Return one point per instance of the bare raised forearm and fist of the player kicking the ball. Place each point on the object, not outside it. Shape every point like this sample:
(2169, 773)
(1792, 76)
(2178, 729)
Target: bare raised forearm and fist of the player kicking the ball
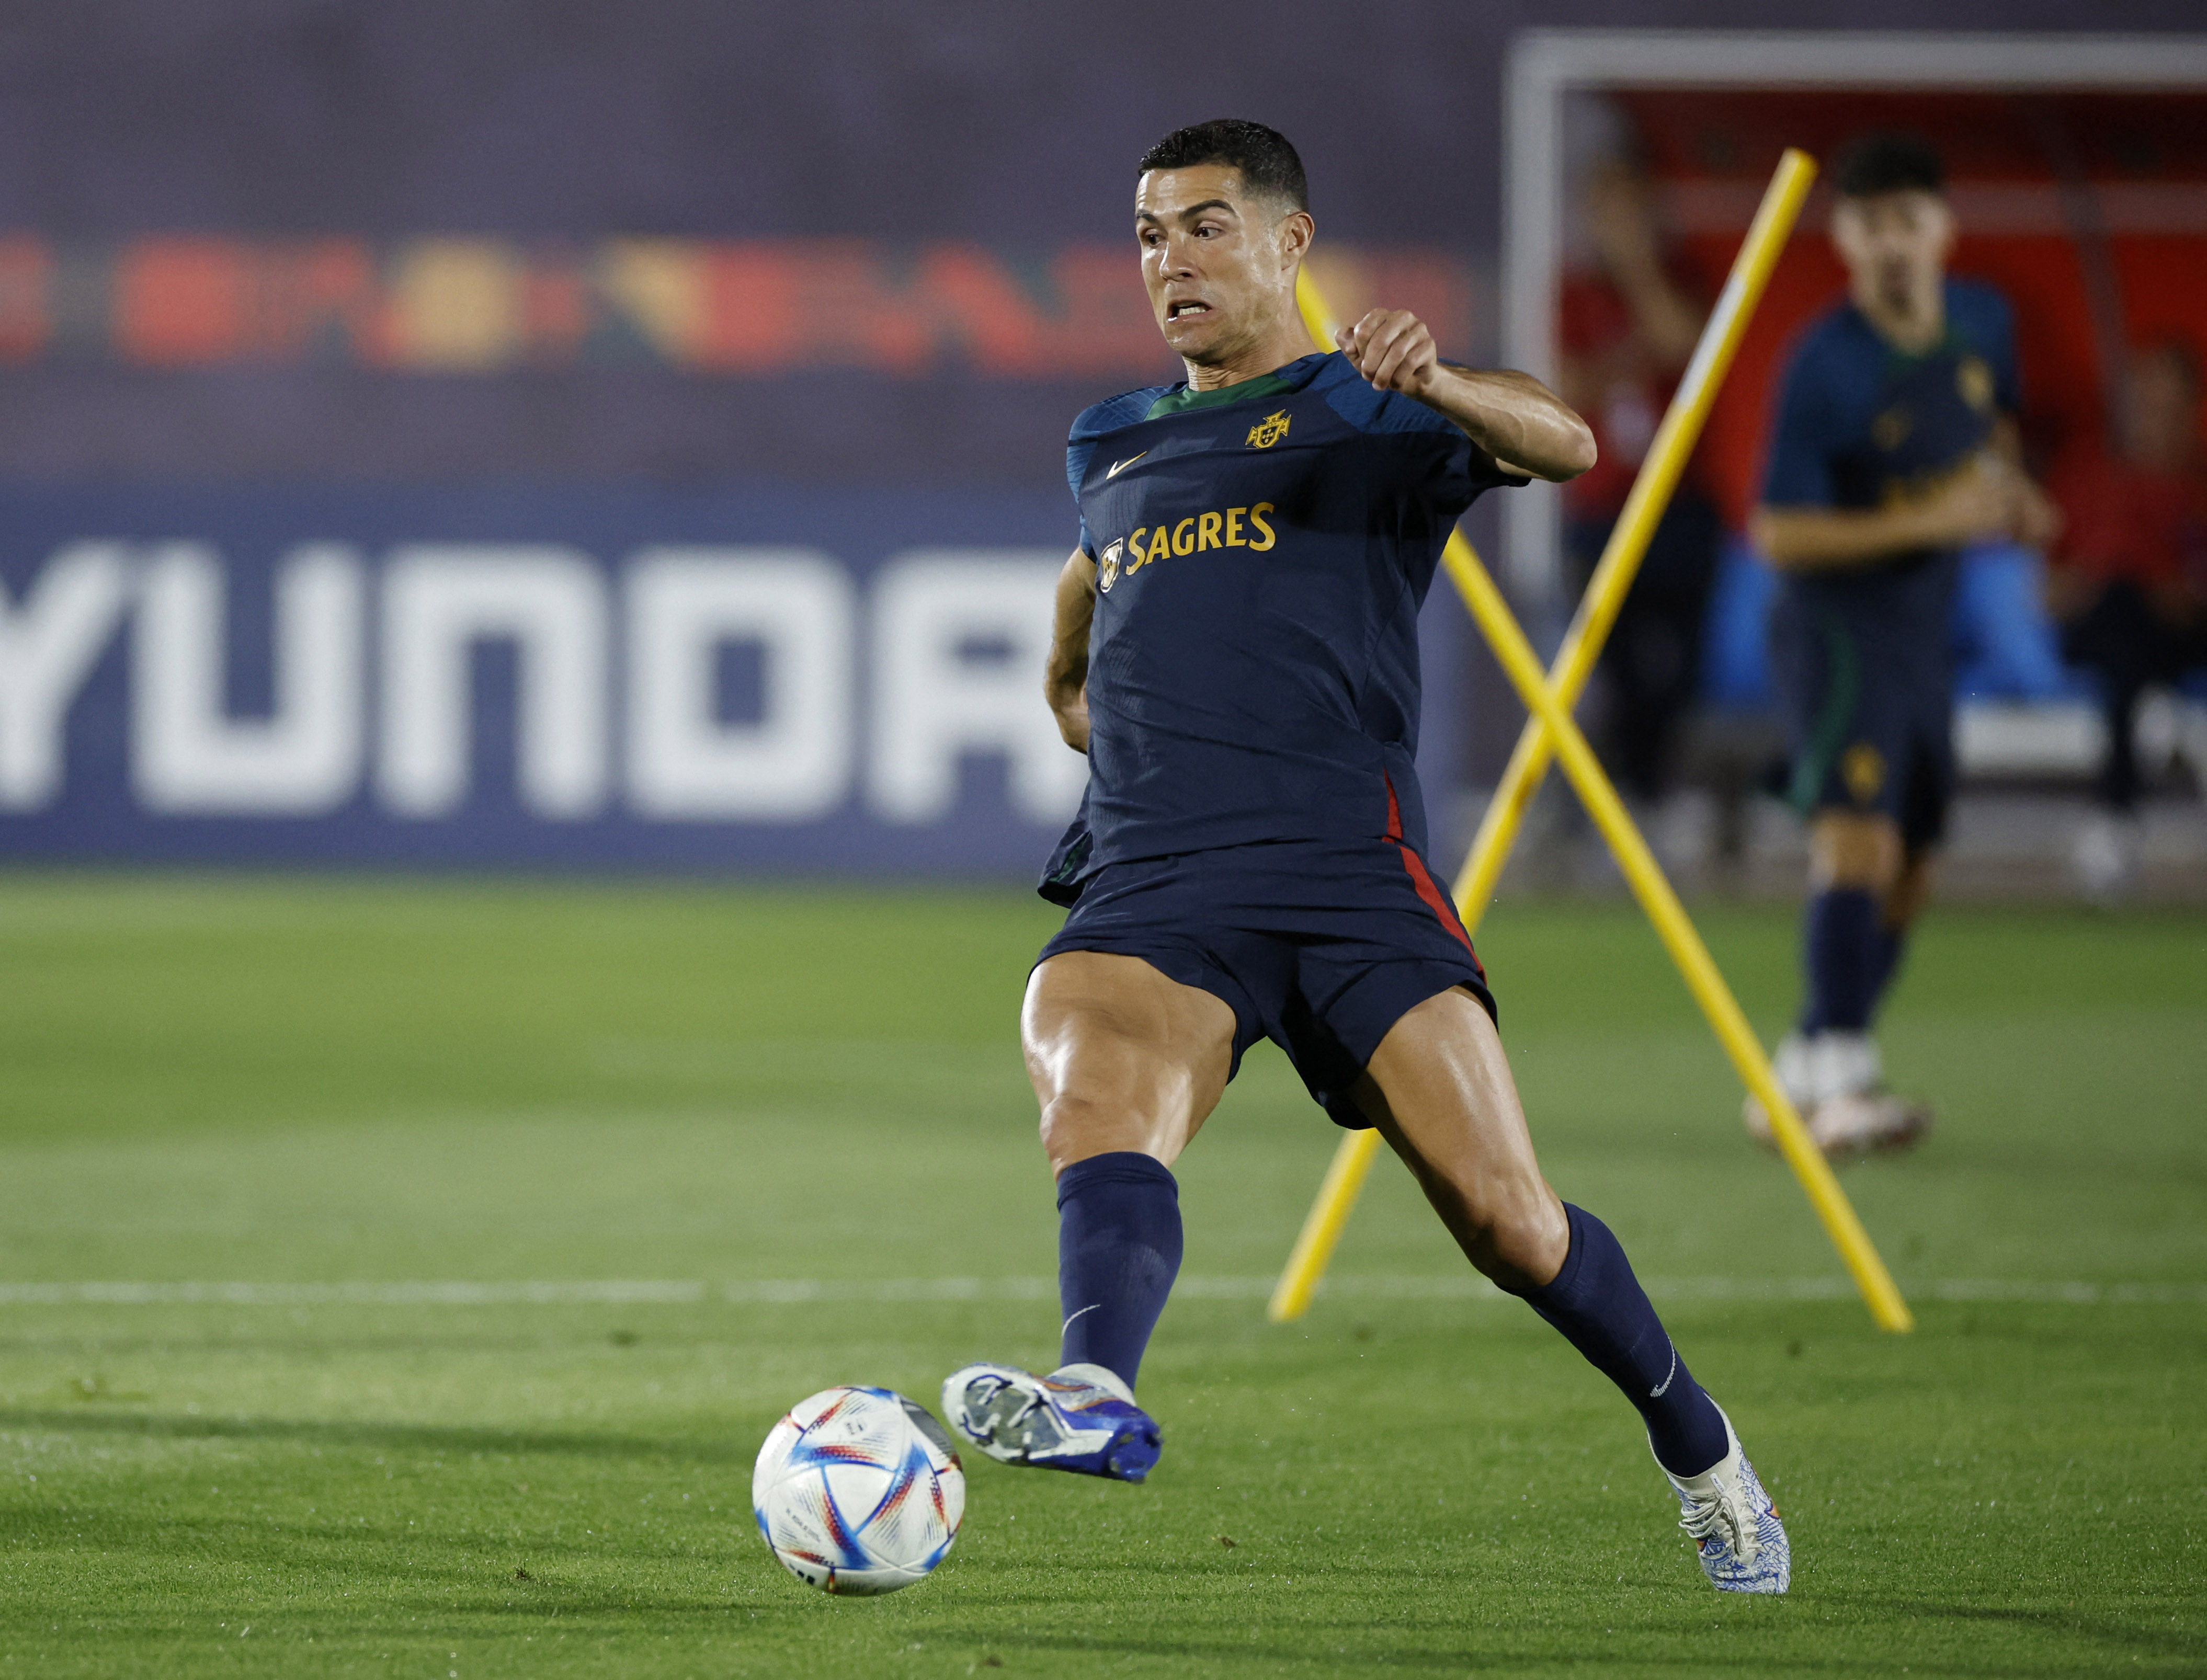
(1511, 416)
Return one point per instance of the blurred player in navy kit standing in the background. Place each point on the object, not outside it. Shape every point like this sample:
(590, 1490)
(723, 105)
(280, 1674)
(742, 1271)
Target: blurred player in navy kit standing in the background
(1895, 449)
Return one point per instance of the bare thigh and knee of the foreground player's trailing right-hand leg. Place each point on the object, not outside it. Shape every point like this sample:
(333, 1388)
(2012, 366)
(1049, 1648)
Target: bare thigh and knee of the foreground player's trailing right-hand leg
(1442, 1094)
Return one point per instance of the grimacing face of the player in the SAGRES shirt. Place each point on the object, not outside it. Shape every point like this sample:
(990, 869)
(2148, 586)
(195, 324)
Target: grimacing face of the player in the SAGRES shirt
(1217, 262)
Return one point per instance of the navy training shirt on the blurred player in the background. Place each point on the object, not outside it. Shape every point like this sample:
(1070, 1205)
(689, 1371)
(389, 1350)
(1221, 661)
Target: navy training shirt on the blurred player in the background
(1862, 423)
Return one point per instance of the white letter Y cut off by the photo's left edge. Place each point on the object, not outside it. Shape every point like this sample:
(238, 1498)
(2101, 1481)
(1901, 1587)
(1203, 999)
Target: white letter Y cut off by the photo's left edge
(47, 650)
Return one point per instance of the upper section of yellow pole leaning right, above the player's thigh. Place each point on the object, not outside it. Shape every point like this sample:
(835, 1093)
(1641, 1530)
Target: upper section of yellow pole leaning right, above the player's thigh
(1636, 524)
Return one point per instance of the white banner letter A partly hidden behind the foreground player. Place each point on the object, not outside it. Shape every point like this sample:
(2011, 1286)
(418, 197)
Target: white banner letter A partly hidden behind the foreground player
(937, 701)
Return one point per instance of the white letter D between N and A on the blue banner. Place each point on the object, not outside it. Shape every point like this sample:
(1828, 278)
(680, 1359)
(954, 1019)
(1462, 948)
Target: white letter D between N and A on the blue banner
(687, 604)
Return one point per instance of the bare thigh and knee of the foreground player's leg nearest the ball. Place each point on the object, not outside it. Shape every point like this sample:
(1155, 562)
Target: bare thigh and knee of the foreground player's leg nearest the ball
(1122, 1056)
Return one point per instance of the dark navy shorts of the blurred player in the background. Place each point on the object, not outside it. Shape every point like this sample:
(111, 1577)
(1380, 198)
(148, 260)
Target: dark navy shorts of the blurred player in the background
(1868, 690)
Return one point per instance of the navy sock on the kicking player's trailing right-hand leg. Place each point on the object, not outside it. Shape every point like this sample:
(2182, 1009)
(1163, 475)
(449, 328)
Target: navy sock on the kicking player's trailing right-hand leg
(1606, 1315)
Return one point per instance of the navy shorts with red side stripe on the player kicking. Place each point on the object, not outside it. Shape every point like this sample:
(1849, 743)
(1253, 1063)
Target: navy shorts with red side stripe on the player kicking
(1319, 946)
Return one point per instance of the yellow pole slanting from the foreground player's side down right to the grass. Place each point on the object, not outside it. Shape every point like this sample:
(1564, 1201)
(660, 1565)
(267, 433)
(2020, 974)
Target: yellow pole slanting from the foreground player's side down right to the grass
(1678, 937)
